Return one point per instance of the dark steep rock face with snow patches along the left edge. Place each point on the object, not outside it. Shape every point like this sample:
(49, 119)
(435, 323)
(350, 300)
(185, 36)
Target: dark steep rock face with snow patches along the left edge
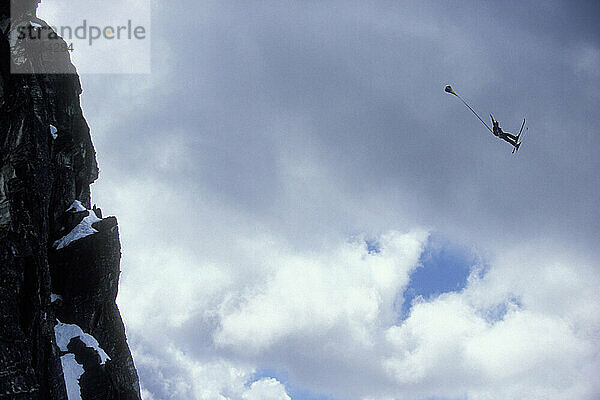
(40, 178)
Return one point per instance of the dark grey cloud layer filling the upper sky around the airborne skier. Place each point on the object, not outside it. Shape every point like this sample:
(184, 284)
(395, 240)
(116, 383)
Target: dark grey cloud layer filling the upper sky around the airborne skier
(285, 111)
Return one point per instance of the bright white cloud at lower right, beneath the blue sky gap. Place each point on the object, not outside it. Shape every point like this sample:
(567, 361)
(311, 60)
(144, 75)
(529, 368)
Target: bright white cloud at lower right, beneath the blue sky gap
(543, 347)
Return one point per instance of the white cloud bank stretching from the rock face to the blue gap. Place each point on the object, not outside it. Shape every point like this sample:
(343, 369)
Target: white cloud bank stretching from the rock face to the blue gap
(275, 314)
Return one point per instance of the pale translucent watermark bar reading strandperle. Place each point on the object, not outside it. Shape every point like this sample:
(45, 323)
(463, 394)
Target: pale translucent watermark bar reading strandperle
(106, 37)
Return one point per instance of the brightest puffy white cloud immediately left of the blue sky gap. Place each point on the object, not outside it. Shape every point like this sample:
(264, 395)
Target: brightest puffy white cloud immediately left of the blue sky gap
(348, 289)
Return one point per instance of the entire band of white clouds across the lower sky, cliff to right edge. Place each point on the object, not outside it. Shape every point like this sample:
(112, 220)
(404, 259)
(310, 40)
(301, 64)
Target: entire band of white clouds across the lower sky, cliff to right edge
(202, 327)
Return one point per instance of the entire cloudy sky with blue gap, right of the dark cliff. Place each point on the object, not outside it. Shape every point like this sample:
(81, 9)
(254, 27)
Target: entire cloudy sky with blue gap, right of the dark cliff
(305, 214)
